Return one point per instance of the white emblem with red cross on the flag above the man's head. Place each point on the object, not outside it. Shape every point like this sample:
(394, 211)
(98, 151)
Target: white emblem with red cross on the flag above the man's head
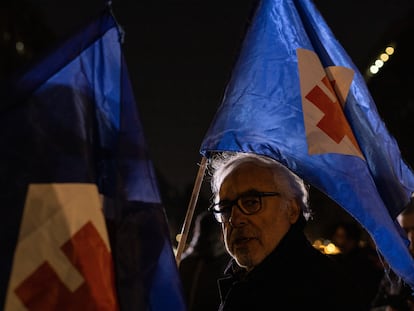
(327, 130)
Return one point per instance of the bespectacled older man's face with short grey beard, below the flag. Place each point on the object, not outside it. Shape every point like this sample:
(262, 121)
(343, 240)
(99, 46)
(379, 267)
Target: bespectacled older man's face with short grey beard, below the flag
(250, 238)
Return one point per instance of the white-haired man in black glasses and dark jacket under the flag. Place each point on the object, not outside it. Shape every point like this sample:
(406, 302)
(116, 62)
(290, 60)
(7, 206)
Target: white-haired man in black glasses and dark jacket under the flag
(263, 208)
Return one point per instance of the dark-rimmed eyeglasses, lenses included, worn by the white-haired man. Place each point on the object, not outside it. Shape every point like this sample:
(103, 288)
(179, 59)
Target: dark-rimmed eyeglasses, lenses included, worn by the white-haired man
(248, 203)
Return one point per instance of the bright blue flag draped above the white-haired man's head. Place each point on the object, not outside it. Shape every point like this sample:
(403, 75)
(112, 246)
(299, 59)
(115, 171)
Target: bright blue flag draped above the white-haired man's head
(296, 96)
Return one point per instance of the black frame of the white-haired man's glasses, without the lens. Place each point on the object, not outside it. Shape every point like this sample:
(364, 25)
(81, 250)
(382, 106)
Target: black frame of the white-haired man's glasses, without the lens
(220, 215)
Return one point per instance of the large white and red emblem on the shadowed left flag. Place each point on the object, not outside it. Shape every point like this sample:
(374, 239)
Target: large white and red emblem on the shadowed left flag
(63, 259)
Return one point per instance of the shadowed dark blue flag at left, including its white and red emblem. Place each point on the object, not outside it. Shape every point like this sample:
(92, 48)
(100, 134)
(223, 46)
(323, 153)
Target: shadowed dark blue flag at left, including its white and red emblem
(83, 227)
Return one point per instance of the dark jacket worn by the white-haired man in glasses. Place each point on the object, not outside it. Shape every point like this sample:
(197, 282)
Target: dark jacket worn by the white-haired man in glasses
(295, 276)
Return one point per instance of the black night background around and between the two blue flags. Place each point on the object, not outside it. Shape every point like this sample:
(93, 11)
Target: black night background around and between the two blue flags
(180, 54)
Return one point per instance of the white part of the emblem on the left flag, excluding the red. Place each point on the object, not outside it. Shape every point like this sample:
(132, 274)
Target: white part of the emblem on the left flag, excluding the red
(53, 214)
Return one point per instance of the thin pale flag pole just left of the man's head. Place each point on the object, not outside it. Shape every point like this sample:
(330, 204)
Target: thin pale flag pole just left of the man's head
(190, 211)
